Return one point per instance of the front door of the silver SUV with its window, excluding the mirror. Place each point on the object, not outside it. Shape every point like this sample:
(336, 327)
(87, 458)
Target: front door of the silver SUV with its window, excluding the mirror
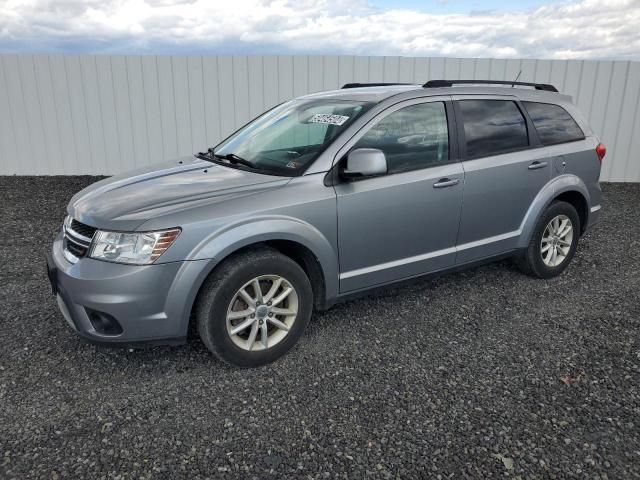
(404, 223)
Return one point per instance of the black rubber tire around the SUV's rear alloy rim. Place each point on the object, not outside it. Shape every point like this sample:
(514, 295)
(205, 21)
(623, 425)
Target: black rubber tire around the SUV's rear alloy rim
(536, 263)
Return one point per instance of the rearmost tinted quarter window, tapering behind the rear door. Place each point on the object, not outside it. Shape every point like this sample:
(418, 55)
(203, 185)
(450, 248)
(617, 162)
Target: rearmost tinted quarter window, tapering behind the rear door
(553, 123)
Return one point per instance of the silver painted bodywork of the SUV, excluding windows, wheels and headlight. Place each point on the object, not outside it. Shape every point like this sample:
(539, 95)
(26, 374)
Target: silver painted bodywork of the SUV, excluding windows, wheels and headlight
(363, 234)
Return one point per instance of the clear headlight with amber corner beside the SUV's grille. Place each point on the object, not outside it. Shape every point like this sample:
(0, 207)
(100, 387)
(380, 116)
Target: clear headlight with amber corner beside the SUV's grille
(135, 248)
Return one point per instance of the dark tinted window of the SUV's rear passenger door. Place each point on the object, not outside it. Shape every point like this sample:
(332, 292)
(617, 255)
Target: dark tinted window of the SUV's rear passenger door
(492, 127)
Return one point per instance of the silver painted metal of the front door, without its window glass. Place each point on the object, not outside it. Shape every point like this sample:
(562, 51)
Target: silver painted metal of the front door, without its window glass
(386, 225)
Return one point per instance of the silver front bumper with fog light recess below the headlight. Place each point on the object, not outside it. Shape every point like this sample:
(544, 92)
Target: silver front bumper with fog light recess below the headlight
(149, 303)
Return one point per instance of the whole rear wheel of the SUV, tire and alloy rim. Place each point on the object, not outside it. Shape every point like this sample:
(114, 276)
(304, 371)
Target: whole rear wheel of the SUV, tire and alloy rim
(553, 243)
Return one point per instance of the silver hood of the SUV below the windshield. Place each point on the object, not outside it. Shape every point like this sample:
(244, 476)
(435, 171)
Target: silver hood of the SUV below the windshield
(126, 201)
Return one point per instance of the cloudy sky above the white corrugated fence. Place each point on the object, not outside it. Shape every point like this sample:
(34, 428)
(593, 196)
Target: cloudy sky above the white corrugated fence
(461, 28)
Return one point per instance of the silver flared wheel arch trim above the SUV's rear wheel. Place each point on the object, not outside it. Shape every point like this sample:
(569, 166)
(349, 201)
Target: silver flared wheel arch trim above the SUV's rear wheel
(555, 187)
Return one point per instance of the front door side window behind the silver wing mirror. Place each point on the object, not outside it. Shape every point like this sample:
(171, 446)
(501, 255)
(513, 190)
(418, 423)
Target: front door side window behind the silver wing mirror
(412, 138)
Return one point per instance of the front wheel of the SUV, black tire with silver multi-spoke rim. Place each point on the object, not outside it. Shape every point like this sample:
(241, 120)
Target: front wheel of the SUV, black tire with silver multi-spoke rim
(220, 297)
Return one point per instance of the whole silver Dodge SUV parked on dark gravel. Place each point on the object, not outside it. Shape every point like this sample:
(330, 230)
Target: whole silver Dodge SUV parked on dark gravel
(322, 197)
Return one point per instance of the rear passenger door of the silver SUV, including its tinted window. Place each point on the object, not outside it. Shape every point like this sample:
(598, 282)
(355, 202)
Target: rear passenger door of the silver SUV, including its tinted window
(503, 173)
